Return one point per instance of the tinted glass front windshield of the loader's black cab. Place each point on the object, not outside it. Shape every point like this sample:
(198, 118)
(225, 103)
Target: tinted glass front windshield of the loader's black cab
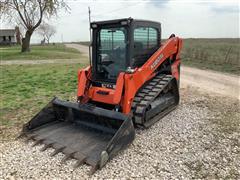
(111, 52)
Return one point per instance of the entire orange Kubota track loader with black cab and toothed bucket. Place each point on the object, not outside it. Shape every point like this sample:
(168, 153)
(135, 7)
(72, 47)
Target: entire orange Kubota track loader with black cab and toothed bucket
(132, 81)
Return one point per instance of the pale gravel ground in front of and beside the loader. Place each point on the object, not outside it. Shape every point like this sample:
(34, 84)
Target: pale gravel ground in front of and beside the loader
(187, 143)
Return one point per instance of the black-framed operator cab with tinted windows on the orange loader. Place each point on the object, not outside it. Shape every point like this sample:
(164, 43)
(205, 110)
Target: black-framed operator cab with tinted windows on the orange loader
(120, 44)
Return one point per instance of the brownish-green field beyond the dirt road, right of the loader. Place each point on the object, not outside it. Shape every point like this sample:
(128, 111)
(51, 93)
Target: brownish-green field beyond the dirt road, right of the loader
(215, 54)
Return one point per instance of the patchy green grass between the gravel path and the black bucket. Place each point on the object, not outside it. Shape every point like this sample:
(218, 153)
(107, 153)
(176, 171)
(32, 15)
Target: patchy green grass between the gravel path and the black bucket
(25, 89)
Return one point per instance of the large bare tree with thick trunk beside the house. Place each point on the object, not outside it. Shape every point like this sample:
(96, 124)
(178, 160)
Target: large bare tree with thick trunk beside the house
(30, 14)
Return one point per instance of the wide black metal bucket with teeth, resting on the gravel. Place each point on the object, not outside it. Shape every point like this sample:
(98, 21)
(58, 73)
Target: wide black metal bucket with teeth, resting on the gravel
(89, 134)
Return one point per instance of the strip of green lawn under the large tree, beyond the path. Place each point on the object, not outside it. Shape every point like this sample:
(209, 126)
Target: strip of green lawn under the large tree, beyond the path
(57, 51)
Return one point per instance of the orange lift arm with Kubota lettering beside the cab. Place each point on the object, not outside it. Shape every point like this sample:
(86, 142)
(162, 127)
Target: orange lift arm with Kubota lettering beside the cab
(136, 80)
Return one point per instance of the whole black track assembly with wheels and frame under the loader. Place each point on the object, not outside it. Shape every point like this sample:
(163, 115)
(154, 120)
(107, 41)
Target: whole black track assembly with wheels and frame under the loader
(158, 97)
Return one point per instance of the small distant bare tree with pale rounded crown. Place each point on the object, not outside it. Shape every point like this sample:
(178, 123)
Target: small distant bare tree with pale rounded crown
(46, 31)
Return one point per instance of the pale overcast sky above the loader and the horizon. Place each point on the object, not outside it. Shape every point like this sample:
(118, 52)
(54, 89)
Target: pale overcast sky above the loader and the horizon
(185, 18)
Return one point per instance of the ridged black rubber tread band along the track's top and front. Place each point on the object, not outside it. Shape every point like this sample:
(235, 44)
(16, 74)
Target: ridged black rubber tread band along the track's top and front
(147, 95)
